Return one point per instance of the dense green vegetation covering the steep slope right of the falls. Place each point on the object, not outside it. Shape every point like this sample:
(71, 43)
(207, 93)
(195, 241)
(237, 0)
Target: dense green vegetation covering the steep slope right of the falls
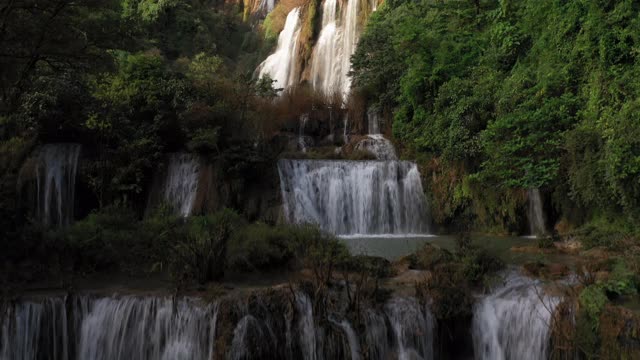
(500, 96)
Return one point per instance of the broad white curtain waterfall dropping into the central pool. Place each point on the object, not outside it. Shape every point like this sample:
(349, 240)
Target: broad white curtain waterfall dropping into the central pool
(354, 197)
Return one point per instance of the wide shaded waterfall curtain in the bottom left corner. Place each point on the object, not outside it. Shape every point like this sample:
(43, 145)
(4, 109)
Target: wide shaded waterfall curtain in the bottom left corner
(108, 328)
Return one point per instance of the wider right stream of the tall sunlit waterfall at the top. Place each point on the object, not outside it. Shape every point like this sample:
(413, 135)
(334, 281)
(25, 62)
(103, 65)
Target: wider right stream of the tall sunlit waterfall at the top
(331, 61)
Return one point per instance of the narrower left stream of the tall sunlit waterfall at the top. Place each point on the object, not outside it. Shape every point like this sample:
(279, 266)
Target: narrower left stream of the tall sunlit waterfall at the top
(281, 65)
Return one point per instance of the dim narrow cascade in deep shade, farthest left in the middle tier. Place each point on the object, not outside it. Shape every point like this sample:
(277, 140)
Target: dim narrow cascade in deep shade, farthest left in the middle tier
(56, 167)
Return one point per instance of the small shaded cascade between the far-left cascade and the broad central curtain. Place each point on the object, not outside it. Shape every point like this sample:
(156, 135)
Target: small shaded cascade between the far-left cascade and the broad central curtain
(181, 183)
